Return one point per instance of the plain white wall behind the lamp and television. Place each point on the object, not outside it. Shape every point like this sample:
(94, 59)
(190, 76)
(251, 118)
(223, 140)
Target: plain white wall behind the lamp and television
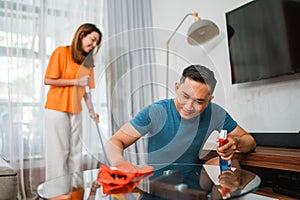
(263, 106)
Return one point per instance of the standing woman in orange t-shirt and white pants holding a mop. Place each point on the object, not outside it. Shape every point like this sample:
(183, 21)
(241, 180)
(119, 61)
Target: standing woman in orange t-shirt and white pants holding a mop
(69, 71)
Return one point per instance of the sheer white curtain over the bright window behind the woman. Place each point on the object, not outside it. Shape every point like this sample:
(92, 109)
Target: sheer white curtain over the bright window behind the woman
(29, 32)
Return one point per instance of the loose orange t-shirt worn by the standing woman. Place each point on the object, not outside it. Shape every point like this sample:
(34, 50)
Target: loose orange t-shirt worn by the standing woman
(61, 66)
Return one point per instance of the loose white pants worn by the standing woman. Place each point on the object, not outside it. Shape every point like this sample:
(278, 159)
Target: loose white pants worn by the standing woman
(63, 143)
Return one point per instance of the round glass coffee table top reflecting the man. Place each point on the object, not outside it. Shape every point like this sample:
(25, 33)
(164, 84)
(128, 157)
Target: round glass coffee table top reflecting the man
(175, 181)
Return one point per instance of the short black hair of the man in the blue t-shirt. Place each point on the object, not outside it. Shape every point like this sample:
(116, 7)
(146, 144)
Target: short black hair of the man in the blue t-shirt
(200, 74)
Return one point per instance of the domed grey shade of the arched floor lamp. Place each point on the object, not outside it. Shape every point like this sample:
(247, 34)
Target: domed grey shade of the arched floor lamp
(202, 31)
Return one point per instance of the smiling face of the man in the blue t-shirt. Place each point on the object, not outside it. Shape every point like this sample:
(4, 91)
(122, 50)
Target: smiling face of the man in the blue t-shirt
(192, 98)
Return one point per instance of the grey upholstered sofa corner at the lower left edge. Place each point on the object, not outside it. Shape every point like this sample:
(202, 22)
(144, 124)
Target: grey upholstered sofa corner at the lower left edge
(8, 181)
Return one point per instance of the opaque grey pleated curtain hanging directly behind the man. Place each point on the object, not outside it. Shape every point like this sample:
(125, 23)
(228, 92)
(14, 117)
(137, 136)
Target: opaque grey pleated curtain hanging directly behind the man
(130, 65)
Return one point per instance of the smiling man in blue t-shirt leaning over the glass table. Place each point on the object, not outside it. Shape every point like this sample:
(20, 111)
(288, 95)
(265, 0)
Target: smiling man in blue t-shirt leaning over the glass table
(177, 128)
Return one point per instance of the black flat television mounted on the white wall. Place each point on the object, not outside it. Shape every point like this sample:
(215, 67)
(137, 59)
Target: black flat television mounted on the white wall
(264, 39)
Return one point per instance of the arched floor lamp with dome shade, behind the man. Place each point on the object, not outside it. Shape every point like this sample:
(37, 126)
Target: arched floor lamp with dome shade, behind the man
(199, 32)
